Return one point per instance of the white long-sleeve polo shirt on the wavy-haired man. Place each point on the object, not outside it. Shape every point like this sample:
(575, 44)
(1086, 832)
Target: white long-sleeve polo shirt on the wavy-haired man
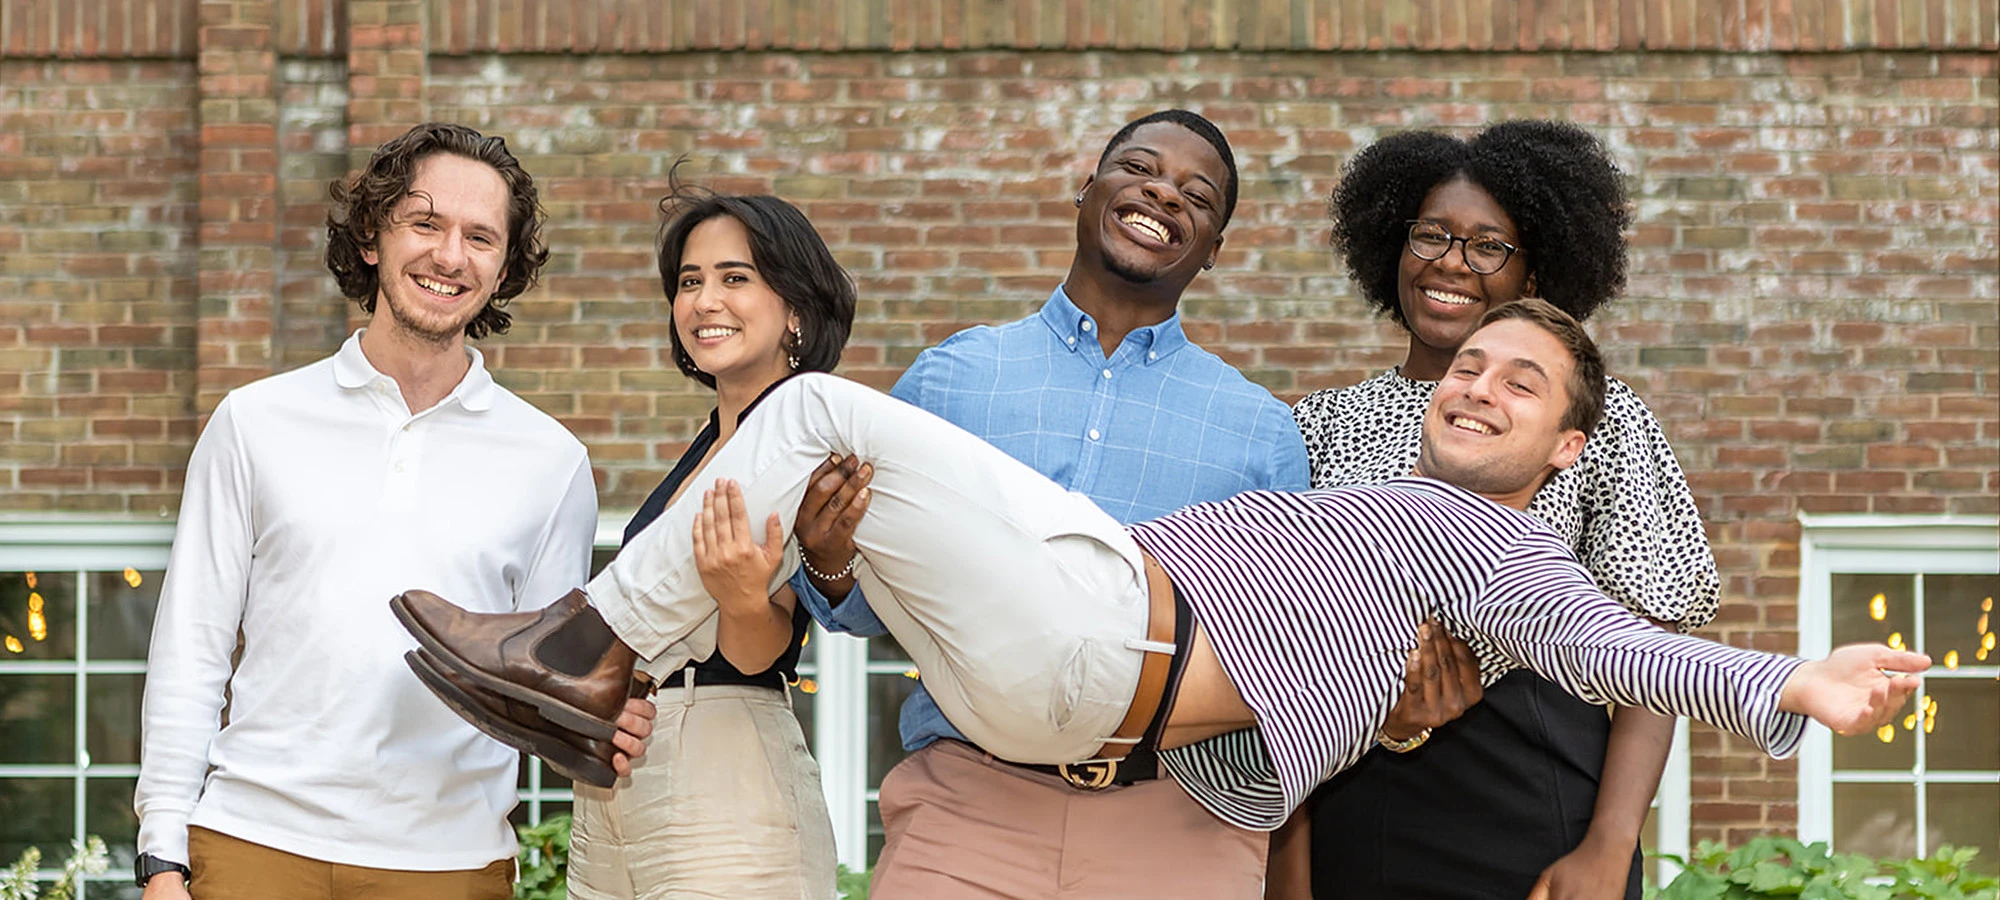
(313, 497)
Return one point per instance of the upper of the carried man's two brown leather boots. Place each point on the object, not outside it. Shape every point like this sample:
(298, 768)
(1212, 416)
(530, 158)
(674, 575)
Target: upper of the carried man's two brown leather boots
(563, 661)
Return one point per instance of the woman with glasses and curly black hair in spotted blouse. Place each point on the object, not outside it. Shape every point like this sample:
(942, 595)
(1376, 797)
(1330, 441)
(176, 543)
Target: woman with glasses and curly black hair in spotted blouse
(1529, 787)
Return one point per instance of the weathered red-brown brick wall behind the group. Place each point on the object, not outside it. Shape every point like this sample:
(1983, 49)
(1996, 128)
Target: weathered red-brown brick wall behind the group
(1815, 309)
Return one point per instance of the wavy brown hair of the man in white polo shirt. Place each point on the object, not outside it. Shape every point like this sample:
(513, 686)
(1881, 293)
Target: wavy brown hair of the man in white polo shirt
(363, 205)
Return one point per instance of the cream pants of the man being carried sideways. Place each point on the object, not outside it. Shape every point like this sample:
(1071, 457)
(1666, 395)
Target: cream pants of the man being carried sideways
(1023, 605)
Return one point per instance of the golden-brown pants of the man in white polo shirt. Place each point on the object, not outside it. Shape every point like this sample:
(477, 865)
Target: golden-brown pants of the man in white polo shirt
(235, 869)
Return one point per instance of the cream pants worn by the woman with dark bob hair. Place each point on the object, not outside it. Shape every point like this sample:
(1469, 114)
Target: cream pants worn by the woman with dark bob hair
(725, 805)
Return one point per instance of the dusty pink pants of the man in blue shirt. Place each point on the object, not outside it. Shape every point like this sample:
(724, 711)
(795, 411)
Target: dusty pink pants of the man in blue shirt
(963, 827)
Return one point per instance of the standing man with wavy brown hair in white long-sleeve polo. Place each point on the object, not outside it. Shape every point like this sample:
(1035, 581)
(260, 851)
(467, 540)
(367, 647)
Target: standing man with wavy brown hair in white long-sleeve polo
(393, 463)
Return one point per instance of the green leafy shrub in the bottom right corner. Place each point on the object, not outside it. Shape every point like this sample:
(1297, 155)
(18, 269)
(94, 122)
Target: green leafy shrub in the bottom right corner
(1789, 869)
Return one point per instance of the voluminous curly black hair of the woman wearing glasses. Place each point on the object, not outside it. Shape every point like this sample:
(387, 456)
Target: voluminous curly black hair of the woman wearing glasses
(1553, 179)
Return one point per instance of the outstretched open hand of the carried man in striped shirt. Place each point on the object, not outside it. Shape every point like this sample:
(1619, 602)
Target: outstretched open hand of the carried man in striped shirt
(1857, 689)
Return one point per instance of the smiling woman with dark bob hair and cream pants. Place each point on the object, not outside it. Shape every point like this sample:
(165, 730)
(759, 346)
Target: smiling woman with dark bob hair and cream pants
(727, 801)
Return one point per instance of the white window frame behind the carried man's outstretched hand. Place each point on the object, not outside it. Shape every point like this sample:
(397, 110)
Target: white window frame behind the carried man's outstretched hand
(1835, 545)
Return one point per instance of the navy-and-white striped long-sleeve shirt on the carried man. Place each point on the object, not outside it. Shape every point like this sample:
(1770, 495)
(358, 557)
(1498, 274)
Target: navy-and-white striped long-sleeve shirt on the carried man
(1313, 605)
